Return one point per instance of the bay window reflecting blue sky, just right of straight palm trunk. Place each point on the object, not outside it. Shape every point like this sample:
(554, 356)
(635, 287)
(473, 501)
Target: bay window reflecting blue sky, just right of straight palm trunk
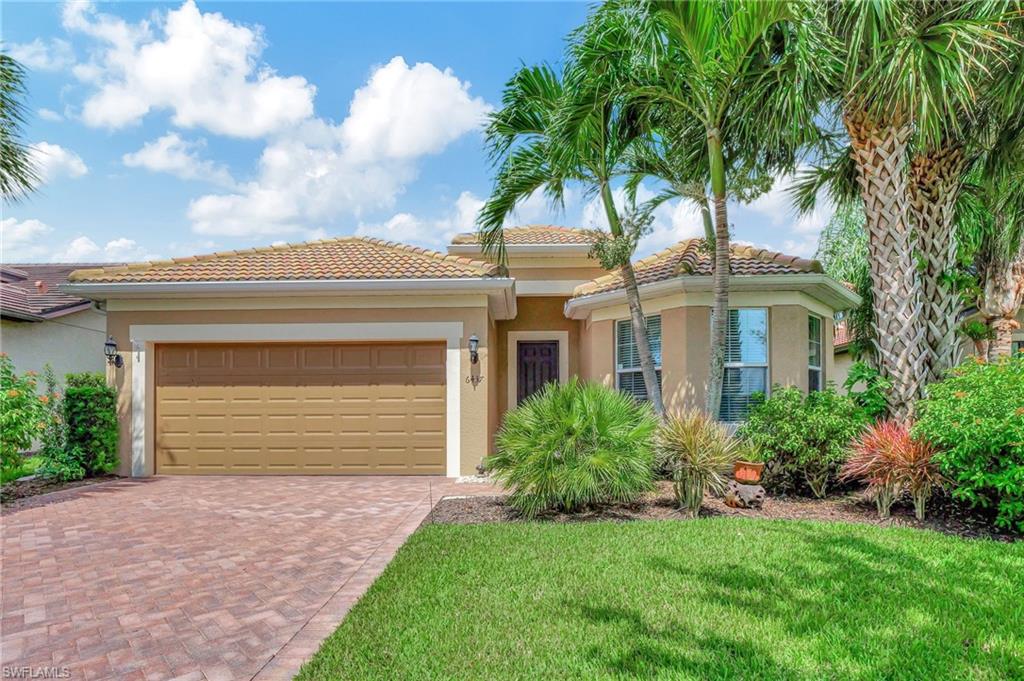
(746, 363)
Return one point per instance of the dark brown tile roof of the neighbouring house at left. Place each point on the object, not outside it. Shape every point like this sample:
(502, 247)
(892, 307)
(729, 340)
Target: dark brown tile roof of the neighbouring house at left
(32, 290)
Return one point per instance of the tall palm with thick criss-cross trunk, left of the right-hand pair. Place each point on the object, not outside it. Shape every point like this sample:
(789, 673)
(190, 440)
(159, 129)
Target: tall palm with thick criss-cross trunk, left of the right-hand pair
(906, 75)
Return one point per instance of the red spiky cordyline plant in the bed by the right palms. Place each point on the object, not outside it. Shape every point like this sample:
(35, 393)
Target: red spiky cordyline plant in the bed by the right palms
(891, 462)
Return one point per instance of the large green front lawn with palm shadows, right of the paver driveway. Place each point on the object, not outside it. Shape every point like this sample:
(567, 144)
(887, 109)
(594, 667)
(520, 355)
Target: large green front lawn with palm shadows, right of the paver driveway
(717, 599)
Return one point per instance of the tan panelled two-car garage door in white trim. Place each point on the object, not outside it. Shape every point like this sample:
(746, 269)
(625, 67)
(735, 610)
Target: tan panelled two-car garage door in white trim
(301, 409)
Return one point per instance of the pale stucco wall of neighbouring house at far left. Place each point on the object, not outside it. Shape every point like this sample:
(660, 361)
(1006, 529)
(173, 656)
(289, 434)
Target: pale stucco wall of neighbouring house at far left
(71, 344)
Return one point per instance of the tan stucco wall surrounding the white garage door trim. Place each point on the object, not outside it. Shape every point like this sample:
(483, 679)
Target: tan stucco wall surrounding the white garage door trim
(476, 420)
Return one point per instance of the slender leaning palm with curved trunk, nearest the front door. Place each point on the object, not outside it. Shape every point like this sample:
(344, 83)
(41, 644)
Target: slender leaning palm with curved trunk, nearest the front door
(552, 132)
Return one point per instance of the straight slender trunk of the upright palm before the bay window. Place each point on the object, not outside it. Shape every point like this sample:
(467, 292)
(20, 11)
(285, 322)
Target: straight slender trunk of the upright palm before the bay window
(720, 307)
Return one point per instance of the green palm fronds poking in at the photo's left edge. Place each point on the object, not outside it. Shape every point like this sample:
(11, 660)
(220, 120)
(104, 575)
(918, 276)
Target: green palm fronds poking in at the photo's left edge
(18, 173)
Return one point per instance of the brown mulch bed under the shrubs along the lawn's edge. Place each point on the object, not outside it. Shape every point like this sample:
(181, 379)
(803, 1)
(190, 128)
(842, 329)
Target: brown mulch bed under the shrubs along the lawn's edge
(945, 516)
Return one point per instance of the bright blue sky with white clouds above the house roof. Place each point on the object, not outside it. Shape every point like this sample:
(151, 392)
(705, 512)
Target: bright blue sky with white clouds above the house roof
(174, 130)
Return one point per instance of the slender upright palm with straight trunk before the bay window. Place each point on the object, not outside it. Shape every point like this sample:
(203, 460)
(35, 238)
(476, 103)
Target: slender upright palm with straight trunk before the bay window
(747, 75)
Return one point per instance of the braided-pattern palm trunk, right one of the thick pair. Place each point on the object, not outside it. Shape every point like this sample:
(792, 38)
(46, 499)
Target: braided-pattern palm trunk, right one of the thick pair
(936, 178)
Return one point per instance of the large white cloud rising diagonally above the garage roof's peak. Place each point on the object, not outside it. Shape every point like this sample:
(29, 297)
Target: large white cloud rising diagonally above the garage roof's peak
(318, 172)
